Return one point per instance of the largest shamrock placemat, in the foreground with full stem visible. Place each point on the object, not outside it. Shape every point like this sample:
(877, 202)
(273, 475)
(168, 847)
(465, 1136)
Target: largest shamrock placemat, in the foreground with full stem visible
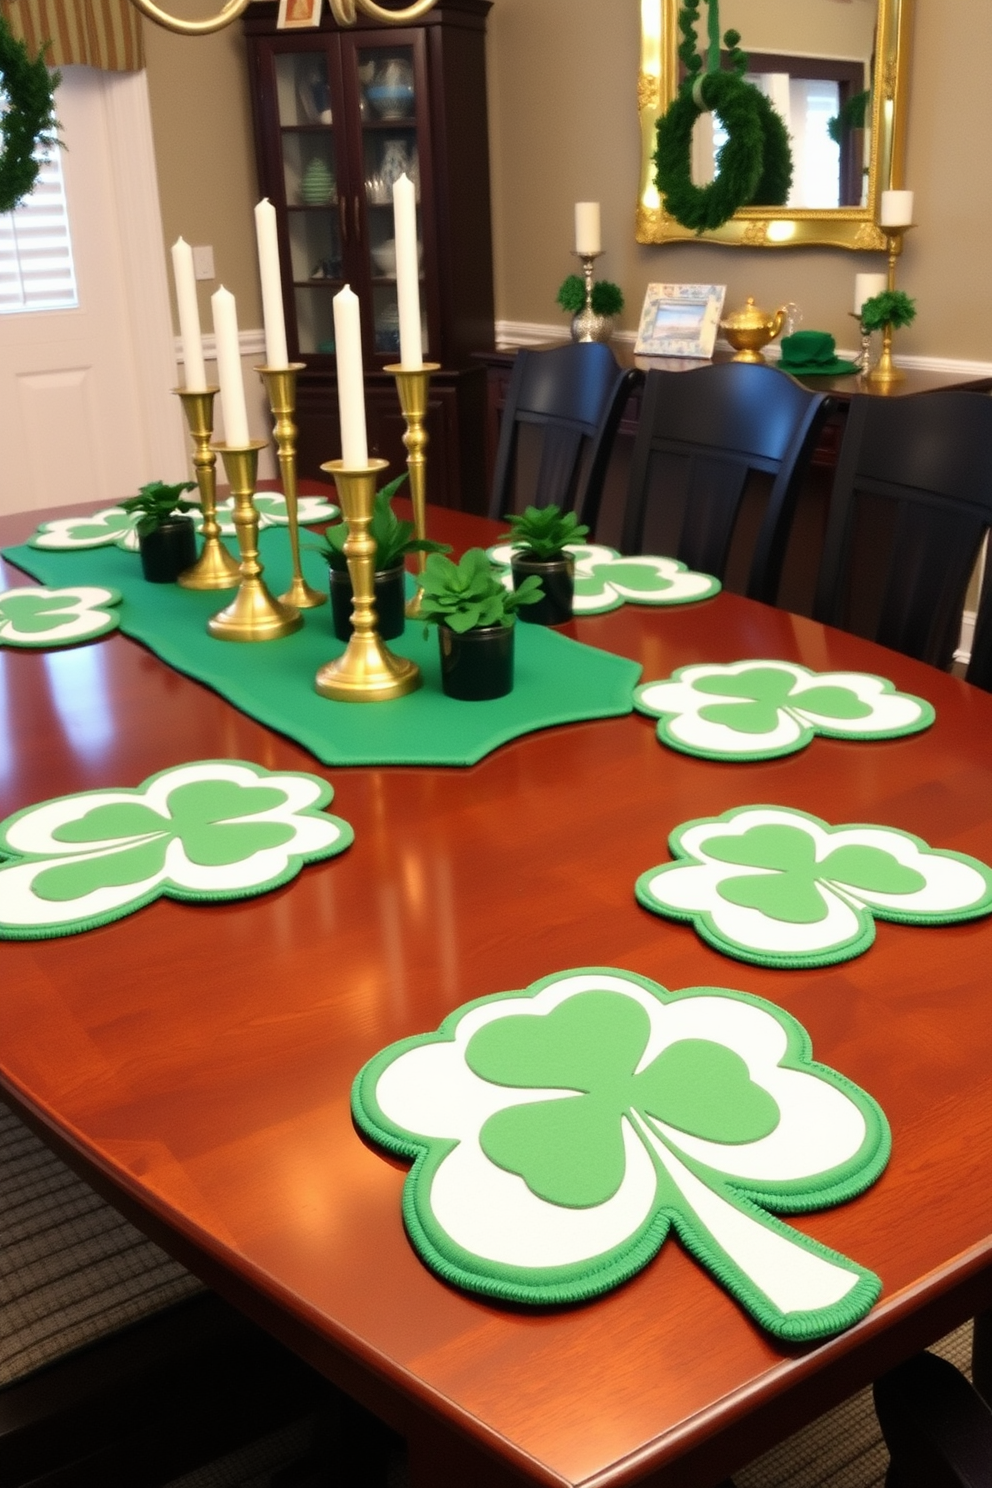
(560, 1133)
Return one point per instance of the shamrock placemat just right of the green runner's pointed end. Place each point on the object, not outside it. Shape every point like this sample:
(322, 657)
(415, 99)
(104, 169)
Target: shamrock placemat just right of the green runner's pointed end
(765, 709)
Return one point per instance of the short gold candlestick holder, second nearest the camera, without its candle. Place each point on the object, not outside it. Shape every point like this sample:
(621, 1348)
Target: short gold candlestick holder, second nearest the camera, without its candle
(254, 615)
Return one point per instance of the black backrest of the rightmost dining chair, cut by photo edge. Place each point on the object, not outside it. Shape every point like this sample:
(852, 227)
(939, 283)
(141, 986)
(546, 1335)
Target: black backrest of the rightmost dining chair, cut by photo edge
(911, 504)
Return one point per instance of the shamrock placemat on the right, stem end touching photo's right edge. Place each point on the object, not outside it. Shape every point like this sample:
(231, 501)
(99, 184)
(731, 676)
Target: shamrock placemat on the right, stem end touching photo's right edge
(780, 888)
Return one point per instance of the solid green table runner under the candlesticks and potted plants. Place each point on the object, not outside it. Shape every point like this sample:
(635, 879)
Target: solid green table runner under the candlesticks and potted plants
(557, 681)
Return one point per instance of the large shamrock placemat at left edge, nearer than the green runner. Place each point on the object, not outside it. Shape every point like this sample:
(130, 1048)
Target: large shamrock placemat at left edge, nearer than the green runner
(210, 831)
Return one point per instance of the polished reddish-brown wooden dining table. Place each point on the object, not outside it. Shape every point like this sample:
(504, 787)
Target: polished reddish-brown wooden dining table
(196, 1063)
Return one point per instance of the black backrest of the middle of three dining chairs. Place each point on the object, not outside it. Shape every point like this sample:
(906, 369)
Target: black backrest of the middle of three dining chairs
(701, 437)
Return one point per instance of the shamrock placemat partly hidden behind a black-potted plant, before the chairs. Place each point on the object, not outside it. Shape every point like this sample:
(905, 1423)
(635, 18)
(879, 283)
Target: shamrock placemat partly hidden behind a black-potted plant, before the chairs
(605, 580)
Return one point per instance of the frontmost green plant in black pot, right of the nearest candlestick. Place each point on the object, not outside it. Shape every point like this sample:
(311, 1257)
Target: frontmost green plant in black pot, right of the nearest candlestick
(475, 615)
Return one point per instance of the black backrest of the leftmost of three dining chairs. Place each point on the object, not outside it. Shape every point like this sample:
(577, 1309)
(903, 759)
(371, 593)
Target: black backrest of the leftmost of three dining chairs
(575, 395)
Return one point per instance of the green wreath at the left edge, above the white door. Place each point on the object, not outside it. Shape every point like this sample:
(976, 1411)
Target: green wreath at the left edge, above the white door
(29, 120)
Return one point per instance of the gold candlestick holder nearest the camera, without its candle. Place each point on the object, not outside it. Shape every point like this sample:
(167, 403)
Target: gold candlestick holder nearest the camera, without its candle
(368, 672)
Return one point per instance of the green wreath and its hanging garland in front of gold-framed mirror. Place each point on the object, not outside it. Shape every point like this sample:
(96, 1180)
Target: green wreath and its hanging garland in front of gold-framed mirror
(755, 167)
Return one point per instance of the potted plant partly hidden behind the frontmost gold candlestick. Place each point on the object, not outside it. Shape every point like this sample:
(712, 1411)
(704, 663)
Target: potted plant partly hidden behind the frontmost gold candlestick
(393, 542)
